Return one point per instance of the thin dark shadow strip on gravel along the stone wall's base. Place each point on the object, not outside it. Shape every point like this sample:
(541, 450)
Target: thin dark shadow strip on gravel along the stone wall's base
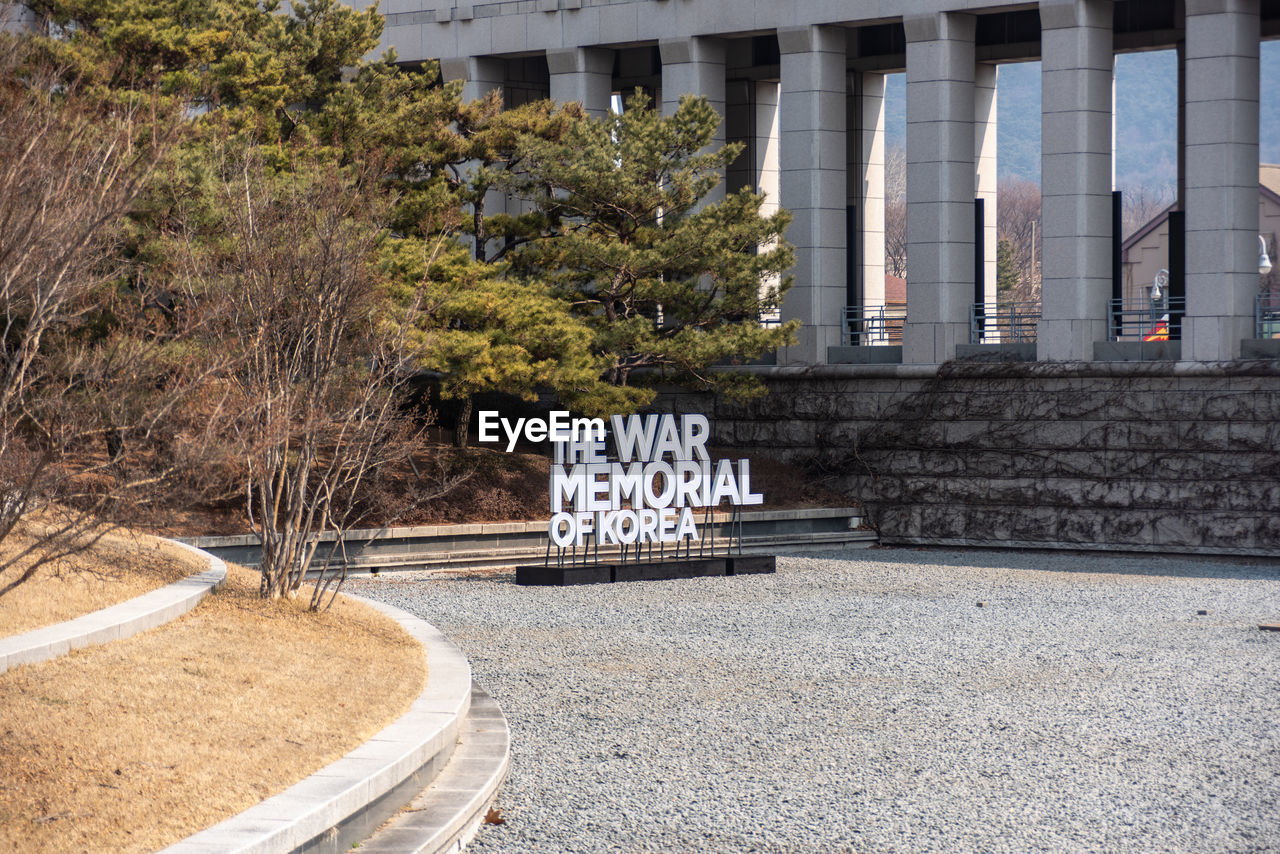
(1245, 569)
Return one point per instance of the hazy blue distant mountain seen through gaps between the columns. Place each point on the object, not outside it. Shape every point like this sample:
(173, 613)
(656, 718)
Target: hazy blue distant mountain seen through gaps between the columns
(1146, 117)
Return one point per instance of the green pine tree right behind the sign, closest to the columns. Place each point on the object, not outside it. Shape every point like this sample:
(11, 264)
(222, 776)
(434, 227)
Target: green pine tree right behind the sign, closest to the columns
(669, 285)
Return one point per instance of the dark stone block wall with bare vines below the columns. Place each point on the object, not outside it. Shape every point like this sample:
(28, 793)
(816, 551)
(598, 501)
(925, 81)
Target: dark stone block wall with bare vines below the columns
(1181, 458)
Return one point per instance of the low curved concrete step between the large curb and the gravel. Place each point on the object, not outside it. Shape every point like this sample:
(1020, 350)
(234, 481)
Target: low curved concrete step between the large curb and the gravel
(446, 816)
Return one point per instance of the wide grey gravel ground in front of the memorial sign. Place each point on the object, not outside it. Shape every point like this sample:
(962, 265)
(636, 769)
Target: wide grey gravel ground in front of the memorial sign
(863, 702)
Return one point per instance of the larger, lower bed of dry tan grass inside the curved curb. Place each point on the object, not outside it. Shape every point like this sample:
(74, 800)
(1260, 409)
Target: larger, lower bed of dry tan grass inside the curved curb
(136, 745)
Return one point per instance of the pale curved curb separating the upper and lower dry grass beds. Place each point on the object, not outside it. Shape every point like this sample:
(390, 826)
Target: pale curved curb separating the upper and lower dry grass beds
(120, 622)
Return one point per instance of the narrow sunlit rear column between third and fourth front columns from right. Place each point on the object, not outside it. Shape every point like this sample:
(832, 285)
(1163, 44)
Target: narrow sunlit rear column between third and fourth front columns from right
(867, 193)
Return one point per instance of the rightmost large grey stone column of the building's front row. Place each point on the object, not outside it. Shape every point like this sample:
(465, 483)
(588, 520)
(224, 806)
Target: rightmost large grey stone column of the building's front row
(1222, 200)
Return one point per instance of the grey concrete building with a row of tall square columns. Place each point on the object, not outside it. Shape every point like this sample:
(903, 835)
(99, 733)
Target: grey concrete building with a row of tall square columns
(802, 83)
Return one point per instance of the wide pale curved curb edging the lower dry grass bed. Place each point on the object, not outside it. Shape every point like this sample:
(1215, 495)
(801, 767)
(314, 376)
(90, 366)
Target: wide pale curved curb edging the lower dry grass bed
(345, 802)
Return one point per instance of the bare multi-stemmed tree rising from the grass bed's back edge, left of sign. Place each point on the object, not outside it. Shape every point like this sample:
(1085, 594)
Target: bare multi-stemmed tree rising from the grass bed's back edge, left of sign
(318, 381)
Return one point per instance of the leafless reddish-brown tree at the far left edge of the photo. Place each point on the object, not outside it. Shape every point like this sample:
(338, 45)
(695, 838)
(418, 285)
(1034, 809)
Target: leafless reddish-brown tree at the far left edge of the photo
(71, 170)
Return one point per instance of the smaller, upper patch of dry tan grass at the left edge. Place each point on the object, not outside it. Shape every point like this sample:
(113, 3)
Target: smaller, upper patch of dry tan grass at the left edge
(120, 567)
